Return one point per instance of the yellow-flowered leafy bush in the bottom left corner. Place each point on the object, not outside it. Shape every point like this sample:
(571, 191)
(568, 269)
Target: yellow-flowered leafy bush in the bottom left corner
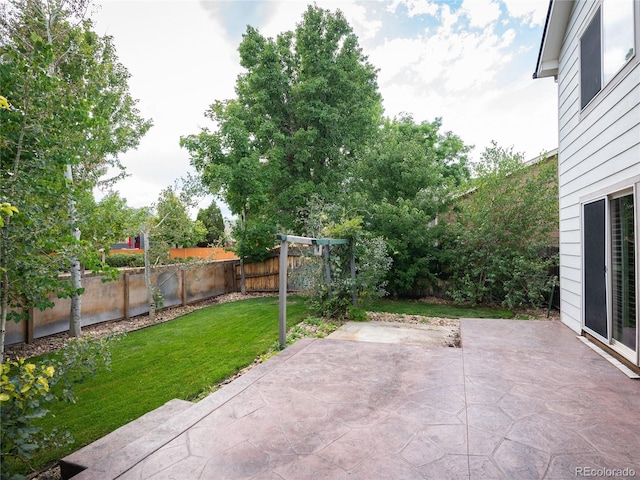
(26, 387)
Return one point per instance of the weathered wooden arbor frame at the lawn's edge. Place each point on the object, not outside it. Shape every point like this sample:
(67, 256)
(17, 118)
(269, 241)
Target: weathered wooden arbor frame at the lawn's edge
(285, 240)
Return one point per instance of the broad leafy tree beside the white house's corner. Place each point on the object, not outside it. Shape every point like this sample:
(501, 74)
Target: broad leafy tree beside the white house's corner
(500, 229)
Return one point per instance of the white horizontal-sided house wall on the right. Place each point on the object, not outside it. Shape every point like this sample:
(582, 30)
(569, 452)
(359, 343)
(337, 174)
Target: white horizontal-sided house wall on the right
(599, 150)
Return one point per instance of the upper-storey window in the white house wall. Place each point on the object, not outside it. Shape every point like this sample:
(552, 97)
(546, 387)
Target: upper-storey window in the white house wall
(606, 46)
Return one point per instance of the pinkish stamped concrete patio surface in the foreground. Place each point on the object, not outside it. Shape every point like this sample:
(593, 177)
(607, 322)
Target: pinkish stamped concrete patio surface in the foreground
(519, 400)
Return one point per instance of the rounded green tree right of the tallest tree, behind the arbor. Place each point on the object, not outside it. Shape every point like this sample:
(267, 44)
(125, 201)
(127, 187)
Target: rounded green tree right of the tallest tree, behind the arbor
(404, 180)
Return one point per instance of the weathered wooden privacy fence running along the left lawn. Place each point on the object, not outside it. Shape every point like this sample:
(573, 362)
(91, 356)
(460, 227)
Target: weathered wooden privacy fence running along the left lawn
(126, 296)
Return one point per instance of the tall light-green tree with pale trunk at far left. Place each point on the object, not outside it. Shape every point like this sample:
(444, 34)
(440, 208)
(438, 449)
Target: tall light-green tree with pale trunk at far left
(73, 115)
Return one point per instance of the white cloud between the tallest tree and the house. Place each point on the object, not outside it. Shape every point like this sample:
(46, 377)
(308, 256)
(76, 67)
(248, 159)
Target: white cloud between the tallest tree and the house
(470, 79)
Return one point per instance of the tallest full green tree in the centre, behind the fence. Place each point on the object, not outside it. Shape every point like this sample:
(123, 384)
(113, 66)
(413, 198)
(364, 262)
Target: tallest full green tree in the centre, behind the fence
(307, 102)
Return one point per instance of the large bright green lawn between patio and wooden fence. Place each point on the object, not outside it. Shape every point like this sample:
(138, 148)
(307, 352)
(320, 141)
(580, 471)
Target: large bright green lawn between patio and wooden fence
(178, 359)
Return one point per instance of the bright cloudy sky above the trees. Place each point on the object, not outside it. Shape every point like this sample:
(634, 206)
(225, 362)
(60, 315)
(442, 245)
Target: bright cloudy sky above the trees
(468, 62)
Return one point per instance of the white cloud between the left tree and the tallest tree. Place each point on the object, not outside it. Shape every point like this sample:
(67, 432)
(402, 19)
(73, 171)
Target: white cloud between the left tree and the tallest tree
(180, 62)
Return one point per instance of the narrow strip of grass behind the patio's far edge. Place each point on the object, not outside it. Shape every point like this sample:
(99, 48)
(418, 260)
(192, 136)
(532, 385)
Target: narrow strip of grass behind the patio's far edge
(434, 310)
